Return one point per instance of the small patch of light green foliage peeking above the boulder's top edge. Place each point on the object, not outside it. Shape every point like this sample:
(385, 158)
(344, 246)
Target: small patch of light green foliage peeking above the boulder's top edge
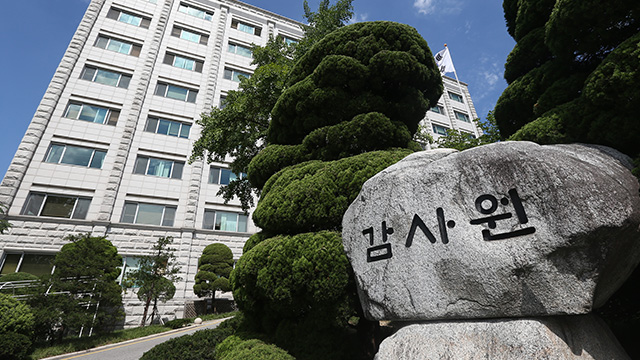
(461, 141)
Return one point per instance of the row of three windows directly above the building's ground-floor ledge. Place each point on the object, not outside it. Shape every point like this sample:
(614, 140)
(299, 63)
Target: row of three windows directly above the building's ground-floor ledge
(75, 207)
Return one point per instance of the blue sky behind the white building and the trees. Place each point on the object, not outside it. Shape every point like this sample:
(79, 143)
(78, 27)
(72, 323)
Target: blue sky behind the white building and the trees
(35, 33)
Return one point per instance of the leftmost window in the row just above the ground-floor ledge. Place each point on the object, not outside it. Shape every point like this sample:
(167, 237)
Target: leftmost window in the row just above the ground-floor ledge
(64, 206)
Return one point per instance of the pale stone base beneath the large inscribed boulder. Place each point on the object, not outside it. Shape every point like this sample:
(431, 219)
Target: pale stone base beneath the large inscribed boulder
(551, 338)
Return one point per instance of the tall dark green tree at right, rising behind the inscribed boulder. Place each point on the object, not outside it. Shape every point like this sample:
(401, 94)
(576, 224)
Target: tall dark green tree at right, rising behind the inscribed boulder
(573, 77)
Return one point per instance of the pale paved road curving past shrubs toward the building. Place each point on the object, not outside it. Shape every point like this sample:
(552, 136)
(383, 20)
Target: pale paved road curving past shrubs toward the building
(133, 349)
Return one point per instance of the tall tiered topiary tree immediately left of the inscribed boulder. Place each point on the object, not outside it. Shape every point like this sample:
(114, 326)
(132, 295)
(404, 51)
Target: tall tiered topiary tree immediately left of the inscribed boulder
(350, 109)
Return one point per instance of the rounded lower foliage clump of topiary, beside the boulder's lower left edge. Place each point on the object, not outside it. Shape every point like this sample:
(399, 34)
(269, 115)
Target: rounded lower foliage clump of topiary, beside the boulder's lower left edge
(295, 277)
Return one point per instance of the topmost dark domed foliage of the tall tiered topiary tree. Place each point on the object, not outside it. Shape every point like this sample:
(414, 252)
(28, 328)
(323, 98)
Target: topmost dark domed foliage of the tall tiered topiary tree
(380, 67)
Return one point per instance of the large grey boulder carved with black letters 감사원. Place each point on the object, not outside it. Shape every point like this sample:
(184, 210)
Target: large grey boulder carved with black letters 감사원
(507, 230)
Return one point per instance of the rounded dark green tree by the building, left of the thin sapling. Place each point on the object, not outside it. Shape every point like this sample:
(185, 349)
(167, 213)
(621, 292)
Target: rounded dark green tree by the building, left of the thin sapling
(84, 284)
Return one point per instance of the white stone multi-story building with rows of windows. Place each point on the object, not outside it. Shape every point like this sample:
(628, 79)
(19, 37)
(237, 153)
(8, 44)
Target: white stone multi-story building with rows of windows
(107, 150)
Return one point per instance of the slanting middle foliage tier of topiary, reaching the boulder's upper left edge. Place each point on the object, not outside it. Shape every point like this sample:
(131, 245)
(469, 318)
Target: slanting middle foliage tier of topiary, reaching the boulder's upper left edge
(313, 196)
